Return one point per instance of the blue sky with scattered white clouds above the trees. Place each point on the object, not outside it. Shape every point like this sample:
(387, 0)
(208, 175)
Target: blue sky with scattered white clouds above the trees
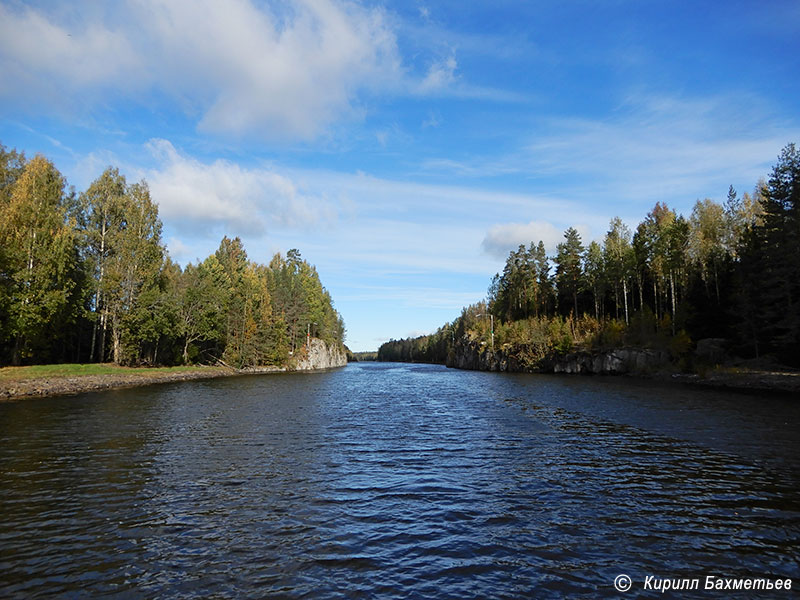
(403, 147)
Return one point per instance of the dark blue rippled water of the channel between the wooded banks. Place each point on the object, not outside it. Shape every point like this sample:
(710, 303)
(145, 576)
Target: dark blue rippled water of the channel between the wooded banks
(389, 481)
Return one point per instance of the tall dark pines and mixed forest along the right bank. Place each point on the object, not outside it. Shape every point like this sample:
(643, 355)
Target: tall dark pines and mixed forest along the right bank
(729, 271)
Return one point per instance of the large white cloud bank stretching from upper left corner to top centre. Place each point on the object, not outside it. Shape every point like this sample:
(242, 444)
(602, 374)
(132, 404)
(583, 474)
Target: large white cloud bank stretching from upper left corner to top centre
(266, 70)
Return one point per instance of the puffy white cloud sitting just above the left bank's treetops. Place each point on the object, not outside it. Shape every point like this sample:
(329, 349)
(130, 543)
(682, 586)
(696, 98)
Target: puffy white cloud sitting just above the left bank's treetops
(225, 195)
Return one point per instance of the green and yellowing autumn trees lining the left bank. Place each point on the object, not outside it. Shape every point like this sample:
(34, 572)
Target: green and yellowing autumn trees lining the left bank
(85, 277)
